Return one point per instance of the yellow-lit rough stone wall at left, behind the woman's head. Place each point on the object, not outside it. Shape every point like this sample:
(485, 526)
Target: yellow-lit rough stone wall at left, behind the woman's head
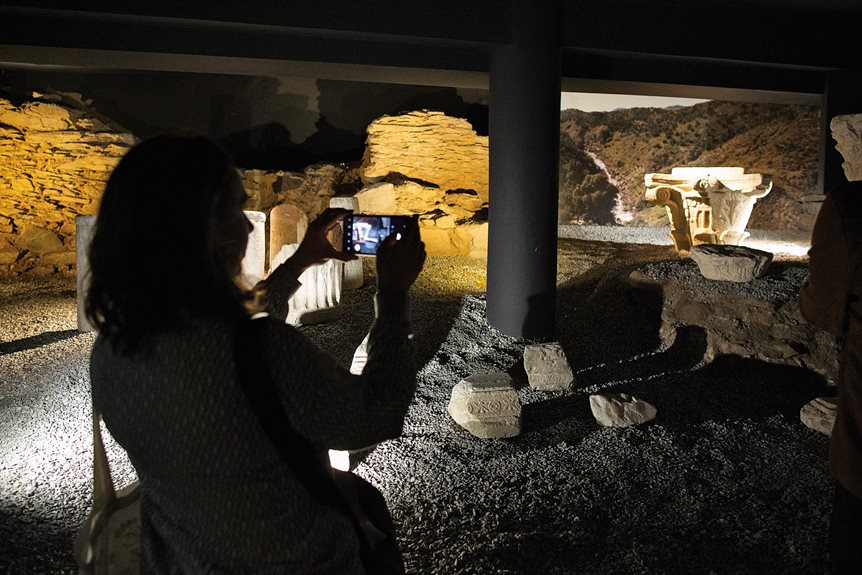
(55, 157)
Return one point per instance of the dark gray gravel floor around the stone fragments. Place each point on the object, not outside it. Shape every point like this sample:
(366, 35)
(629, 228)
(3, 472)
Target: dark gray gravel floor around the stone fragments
(725, 480)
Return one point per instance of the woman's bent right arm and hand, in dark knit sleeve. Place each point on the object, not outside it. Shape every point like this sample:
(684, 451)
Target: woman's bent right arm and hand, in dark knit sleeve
(328, 405)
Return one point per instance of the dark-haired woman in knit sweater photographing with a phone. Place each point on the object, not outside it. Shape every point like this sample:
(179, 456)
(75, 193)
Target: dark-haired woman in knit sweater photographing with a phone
(216, 496)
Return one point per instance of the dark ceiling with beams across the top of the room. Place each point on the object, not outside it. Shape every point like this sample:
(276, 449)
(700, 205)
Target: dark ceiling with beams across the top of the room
(783, 45)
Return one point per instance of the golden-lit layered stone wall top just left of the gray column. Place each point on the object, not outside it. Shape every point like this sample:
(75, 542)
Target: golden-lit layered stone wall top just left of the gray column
(427, 146)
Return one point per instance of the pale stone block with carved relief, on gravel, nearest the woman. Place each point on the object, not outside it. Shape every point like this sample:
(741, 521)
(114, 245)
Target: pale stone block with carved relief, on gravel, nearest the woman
(487, 406)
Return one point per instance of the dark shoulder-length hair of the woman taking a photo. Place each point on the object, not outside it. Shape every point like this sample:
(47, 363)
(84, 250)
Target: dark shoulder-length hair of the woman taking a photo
(154, 257)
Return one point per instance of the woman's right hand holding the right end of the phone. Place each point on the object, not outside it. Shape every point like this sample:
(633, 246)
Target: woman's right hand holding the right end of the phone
(400, 261)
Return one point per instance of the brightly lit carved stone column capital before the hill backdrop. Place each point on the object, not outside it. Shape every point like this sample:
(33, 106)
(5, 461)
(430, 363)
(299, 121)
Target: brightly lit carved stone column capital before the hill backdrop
(709, 205)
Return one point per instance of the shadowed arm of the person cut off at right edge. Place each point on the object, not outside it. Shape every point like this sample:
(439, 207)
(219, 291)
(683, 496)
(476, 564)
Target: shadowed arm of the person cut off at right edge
(824, 296)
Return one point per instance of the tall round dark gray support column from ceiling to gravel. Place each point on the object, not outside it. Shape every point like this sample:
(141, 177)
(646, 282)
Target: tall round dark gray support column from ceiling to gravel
(524, 140)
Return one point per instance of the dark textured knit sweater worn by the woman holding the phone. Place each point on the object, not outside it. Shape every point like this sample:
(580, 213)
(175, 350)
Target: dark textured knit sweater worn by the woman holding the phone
(215, 495)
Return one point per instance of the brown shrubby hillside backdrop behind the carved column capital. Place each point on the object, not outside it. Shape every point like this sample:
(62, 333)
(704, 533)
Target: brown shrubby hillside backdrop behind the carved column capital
(604, 156)
